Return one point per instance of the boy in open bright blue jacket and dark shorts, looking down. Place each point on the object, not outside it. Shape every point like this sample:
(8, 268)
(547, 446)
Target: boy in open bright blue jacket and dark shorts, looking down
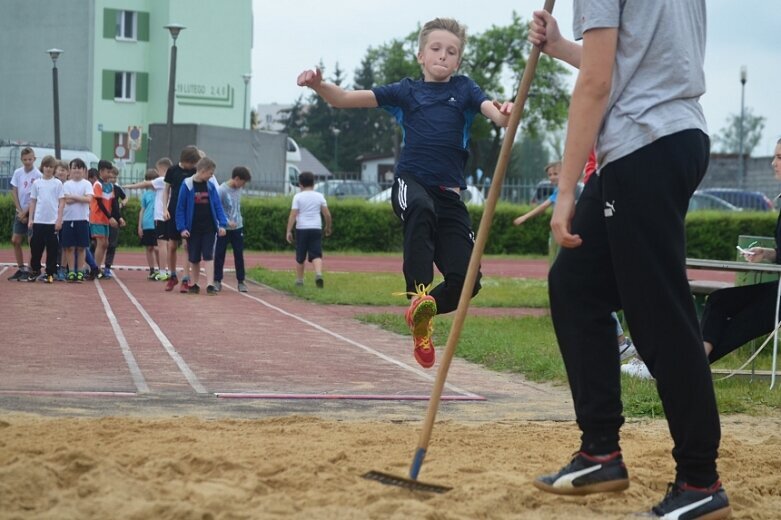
(200, 219)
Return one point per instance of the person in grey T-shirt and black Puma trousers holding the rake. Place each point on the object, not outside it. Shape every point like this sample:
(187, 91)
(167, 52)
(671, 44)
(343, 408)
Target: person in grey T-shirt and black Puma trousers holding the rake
(624, 244)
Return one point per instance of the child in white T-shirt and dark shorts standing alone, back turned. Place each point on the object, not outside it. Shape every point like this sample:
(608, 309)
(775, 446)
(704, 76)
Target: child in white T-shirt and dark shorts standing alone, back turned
(307, 207)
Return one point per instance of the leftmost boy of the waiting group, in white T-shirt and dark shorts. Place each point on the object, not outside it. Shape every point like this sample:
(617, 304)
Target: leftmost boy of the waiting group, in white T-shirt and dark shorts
(21, 186)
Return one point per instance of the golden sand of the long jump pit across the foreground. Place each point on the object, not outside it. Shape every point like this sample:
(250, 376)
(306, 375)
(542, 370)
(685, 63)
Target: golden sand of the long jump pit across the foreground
(308, 468)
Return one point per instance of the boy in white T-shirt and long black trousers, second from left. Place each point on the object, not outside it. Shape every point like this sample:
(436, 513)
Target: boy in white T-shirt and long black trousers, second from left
(46, 206)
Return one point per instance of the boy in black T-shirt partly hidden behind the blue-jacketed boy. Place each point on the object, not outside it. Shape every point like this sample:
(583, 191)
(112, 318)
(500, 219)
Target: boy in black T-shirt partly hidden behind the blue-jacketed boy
(174, 178)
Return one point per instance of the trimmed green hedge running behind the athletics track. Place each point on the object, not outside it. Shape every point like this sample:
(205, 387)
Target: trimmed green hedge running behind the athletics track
(368, 227)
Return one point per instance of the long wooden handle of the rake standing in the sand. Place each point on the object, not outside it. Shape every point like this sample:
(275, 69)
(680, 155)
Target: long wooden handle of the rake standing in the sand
(477, 253)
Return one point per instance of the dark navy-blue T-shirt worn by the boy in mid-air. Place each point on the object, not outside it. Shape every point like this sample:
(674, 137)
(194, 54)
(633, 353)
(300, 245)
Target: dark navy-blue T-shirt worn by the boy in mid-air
(435, 119)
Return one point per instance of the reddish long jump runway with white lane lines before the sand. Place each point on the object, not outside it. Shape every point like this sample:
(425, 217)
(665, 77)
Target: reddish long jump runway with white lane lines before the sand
(127, 336)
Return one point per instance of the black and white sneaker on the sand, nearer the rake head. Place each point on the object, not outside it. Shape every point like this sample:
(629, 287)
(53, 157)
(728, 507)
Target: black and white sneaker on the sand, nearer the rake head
(586, 474)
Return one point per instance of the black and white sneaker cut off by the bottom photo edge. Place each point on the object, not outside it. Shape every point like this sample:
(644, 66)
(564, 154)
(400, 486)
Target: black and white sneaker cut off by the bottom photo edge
(685, 502)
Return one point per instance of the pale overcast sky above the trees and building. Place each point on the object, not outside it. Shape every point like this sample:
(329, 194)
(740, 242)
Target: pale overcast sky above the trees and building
(293, 36)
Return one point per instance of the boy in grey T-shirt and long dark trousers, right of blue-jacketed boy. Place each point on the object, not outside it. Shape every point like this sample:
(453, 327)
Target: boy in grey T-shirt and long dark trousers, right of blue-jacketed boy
(230, 196)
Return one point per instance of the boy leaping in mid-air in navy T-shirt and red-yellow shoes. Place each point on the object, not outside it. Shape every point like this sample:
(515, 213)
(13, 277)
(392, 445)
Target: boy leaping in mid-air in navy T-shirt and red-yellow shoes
(435, 114)
